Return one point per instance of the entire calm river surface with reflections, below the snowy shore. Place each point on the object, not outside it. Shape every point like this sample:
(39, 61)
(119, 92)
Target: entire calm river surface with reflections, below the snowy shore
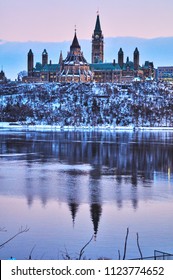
(68, 186)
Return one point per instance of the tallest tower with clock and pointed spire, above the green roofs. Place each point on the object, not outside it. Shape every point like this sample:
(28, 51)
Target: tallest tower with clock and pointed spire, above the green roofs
(97, 43)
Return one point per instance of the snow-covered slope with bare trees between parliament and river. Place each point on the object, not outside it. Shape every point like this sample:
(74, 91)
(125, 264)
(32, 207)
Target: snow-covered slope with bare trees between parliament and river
(88, 104)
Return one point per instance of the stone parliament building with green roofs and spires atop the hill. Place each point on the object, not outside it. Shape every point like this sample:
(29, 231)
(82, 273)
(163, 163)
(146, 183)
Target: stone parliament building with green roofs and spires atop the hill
(75, 68)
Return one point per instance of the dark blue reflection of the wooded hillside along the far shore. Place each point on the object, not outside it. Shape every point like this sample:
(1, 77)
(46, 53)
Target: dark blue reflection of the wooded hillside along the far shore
(119, 153)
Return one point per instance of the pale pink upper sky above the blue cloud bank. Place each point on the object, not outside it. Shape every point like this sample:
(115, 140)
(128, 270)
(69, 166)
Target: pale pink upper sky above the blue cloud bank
(55, 20)
